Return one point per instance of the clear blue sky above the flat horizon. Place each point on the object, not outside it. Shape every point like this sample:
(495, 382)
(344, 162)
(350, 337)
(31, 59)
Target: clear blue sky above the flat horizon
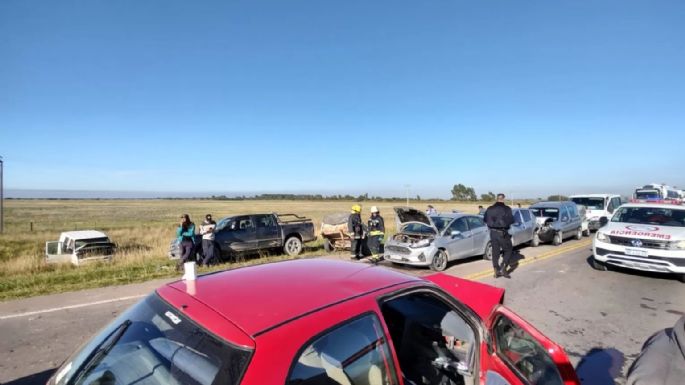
(531, 97)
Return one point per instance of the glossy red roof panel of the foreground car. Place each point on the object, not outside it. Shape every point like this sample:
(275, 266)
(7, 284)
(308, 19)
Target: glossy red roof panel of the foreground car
(260, 297)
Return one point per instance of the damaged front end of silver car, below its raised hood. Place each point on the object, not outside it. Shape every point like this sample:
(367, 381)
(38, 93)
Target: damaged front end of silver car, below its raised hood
(410, 249)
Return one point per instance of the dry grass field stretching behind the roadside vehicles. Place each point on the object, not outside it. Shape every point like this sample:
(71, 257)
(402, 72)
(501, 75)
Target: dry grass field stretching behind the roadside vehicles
(142, 230)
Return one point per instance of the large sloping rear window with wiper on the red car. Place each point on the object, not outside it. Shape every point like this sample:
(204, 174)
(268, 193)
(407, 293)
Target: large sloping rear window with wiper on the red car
(152, 343)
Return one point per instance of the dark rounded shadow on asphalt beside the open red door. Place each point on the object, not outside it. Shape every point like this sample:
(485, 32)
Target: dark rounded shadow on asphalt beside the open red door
(600, 366)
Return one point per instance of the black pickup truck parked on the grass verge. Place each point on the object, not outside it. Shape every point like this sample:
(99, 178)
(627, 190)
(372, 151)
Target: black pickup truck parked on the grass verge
(251, 233)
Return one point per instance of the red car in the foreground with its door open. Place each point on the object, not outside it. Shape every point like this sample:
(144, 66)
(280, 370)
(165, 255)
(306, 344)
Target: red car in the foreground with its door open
(319, 322)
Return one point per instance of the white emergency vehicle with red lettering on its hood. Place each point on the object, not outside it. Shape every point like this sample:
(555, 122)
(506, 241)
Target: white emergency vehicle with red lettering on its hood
(643, 236)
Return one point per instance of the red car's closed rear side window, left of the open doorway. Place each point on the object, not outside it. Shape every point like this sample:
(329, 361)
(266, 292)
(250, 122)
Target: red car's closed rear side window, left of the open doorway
(355, 353)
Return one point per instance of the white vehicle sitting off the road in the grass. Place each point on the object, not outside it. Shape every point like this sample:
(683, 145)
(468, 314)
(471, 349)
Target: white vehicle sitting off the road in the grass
(78, 247)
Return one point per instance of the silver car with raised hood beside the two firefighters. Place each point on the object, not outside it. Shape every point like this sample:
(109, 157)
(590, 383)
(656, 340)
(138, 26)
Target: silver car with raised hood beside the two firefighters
(434, 240)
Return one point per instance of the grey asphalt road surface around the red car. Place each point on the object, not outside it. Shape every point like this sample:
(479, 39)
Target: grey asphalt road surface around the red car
(600, 318)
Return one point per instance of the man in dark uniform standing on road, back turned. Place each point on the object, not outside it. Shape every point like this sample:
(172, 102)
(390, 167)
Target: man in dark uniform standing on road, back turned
(499, 218)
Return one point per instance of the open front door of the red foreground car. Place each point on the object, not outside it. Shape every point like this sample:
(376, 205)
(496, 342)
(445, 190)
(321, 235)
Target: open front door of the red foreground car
(521, 354)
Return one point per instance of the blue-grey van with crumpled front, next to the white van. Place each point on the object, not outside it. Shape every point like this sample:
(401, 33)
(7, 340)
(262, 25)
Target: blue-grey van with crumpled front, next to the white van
(557, 221)
